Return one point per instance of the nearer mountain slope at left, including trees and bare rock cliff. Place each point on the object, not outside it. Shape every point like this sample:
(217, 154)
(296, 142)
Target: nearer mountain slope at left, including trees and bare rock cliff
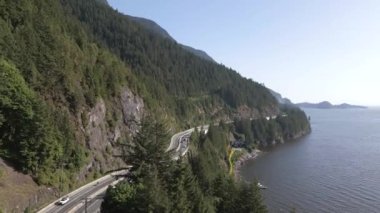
(63, 97)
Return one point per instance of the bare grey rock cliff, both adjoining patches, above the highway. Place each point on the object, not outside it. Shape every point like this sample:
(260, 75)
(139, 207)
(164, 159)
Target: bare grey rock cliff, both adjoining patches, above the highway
(101, 137)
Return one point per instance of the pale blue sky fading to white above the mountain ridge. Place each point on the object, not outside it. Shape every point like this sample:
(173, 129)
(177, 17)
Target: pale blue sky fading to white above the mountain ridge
(308, 50)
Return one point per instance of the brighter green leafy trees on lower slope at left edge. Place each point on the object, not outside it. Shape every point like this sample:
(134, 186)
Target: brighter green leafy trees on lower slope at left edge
(28, 136)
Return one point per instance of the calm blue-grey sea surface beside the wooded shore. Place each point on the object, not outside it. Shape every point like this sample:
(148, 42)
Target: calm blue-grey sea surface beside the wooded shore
(334, 169)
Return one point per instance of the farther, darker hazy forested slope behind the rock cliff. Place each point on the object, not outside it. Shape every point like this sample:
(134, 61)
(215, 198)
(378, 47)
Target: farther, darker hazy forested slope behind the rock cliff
(170, 73)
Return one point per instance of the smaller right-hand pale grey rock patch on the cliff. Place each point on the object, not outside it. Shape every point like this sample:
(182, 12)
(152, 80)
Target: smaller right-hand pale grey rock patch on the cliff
(133, 109)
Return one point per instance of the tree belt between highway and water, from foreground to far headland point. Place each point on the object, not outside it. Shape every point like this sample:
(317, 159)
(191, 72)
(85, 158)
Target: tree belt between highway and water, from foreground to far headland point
(198, 182)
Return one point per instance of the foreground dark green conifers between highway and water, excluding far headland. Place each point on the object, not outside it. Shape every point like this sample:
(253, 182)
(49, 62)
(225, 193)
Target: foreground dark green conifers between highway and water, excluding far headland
(198, 183)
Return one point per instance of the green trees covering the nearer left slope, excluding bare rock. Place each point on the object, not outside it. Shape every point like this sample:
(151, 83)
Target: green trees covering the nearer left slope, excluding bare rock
(46, 79)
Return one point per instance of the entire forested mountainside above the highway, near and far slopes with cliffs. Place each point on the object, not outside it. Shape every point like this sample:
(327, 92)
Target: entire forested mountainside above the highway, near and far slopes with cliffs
(78, 77)
